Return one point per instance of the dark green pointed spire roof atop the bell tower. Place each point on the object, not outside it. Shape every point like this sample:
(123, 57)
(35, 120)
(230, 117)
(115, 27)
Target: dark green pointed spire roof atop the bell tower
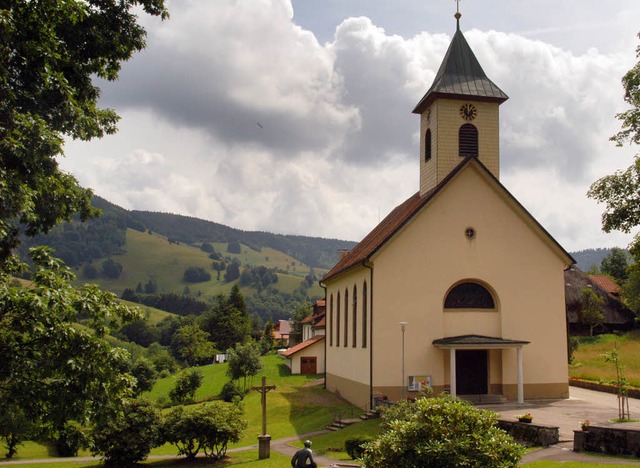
(461, 76)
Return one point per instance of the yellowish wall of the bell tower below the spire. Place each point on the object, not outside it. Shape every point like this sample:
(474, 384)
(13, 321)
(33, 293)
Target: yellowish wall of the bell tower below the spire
(443, 118)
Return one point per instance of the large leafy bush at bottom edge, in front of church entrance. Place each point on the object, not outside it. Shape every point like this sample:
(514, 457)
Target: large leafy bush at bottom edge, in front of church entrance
(442, 431)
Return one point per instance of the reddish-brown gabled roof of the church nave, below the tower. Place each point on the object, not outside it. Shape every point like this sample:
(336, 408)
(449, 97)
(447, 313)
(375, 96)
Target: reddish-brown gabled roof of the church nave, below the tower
(404, 212)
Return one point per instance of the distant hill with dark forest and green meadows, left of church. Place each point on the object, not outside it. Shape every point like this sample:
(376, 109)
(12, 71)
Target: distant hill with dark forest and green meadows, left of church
(153, 251)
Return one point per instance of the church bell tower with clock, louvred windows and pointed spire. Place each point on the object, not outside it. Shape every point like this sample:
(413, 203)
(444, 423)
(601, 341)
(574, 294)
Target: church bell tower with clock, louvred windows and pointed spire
(458, 116)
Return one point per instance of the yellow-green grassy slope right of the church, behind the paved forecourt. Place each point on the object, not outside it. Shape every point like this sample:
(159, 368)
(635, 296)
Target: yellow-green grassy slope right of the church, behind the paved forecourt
(589, 363)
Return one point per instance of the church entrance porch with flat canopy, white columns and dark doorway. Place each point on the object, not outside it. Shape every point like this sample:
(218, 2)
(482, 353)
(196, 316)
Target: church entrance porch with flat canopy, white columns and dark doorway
(468, 362)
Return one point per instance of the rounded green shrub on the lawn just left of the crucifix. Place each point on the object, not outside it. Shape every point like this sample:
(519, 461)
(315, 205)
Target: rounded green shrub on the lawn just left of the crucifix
(209, 427)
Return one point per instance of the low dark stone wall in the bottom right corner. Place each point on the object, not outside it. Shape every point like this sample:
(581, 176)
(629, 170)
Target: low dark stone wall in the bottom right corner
(607, 440)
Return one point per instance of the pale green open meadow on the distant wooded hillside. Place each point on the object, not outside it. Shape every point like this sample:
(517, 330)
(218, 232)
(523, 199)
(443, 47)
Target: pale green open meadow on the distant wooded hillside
(151, 256)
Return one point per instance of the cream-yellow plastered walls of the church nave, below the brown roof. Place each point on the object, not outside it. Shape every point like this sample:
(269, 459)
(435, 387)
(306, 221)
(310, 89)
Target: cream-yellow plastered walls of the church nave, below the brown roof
(414, 271)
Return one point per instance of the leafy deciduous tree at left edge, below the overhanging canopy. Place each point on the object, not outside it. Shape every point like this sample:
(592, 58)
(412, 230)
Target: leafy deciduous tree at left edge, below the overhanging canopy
(50, 368)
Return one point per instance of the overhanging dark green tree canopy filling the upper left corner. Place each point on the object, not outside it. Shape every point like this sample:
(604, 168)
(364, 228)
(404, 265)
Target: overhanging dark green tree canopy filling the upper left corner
(51, 52)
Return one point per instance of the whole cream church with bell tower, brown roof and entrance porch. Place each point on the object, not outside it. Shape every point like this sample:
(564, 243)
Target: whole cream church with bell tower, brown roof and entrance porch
(459, 288)
